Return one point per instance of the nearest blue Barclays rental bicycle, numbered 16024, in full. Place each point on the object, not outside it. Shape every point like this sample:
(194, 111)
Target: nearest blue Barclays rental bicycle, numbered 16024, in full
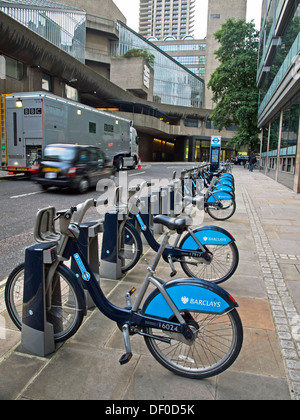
(190, 326)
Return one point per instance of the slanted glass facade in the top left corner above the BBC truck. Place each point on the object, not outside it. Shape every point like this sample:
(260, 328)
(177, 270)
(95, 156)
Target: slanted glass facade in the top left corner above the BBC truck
(63, 26)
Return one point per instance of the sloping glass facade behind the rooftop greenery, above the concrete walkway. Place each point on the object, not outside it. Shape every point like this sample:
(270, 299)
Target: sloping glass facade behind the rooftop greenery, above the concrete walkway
(173, 83)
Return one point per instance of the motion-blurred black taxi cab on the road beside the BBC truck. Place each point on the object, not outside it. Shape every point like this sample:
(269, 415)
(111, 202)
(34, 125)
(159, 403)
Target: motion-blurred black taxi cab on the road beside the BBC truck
(73, 166)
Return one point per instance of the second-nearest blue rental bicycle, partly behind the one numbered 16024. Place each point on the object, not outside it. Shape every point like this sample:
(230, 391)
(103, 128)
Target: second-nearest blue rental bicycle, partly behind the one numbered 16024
(206, 252)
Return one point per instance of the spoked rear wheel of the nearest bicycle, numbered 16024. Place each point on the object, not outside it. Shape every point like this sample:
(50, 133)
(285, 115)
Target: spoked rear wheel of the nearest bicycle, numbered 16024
(217, 343)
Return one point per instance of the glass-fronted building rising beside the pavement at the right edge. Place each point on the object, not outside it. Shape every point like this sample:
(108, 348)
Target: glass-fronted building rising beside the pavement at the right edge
(279, 48)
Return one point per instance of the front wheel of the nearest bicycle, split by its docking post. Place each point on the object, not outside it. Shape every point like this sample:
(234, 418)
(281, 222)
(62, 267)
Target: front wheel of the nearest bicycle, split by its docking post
(64, 304)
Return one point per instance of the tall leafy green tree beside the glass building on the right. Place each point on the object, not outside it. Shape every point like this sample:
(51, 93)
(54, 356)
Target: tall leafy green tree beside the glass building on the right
(234, 82)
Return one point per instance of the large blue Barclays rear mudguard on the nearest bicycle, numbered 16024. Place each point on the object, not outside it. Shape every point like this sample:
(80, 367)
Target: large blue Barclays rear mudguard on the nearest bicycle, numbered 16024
(189, 295)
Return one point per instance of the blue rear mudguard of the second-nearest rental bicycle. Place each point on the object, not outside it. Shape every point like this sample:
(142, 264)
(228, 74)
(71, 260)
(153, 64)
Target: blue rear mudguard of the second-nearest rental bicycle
(206, 235)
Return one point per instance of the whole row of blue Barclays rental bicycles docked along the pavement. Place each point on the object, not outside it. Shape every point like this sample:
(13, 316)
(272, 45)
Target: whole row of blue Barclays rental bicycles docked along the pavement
(190, 325)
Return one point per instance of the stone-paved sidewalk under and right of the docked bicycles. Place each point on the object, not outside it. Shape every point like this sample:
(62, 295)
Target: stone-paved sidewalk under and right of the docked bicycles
(266, 285)
